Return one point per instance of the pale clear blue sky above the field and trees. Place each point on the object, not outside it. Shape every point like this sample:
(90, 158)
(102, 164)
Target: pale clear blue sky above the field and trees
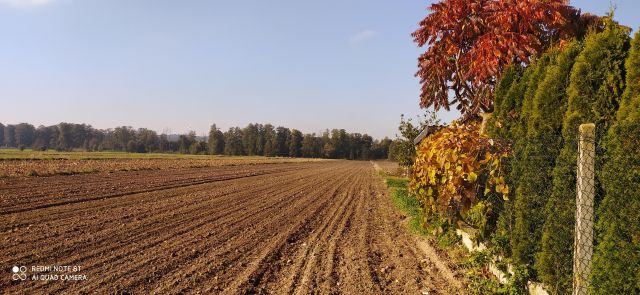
(183, 65)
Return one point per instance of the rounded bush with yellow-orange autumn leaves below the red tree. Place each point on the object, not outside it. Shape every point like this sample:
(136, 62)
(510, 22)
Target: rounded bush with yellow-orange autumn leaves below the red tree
(456, 169)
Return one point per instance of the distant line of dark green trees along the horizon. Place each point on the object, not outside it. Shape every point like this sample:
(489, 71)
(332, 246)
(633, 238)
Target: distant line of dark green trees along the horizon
(253, 140)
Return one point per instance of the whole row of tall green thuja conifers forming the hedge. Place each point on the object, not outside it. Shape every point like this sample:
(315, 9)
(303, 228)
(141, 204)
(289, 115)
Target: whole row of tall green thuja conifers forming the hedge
(538, 109)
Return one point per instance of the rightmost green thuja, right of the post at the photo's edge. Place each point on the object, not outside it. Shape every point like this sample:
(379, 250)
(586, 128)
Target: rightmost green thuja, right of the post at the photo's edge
(616, 265)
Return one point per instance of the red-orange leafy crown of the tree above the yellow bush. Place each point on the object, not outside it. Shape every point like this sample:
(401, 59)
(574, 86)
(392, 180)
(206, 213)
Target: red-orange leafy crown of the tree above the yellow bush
(469, 42)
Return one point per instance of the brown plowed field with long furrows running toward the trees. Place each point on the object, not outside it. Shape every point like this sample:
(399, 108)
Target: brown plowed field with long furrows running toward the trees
(288, 228)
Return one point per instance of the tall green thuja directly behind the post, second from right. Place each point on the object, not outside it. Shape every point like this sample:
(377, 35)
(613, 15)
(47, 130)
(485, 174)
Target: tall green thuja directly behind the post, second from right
(596, 84)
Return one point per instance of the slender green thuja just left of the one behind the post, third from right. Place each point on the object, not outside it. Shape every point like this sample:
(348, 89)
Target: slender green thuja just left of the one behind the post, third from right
(540, 149)
